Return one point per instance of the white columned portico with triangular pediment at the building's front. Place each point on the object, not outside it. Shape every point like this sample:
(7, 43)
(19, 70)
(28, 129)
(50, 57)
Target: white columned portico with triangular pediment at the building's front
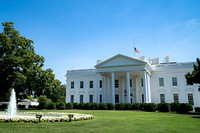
(124, 80)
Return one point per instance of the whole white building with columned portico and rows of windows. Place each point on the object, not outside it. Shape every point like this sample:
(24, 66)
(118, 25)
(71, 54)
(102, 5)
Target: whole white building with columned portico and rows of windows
(121, 79)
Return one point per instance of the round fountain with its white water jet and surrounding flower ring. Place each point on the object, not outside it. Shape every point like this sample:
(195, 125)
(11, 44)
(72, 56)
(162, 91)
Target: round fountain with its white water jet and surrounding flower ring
(11, 114)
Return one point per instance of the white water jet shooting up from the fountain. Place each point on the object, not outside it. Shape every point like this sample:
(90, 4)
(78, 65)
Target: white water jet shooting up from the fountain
(12, 106)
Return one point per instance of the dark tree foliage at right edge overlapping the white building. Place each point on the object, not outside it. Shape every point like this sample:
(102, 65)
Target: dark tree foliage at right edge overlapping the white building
(194, 76)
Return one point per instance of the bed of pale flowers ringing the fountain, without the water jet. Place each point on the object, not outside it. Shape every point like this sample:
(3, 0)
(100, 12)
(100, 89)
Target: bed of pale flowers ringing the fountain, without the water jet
(46, 117)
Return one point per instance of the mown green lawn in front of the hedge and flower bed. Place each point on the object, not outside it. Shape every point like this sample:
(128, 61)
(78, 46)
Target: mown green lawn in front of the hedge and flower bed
(112, 121)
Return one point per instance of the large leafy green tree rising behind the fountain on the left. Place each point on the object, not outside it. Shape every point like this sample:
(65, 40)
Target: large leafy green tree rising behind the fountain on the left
(21, 67)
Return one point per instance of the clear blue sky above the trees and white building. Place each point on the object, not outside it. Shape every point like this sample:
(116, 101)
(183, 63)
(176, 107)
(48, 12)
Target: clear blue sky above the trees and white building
(75, 33)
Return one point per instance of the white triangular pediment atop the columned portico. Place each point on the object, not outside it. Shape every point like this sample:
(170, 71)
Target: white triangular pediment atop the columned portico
(120, 60)
